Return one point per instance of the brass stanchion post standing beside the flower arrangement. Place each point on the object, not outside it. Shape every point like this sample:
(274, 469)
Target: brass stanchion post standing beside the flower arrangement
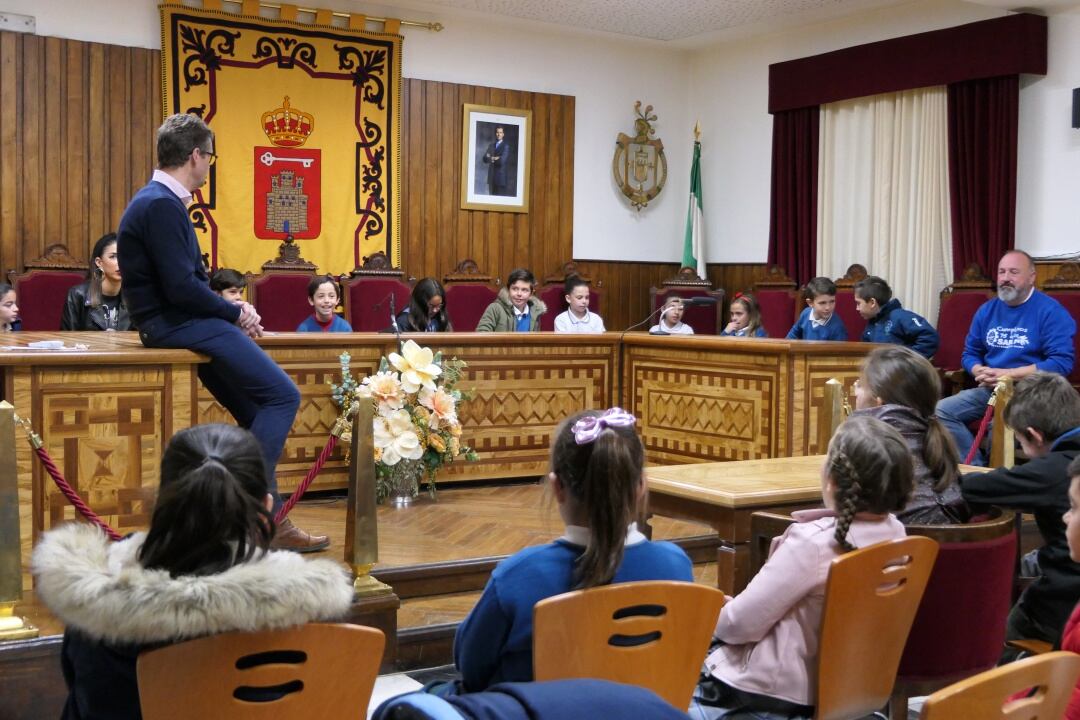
(361, 533)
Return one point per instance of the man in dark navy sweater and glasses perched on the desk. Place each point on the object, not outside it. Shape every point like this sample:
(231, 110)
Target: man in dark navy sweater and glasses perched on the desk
(168, 294)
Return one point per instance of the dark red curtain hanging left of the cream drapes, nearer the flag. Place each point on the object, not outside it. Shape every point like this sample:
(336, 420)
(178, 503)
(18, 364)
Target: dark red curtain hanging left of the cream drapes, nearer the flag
(793, 232)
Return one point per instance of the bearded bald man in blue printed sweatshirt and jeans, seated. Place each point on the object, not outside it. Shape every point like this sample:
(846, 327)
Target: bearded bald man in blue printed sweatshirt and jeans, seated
(1020, 332)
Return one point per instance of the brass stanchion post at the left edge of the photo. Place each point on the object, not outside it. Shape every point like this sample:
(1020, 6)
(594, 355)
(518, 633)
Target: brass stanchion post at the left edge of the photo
(12, 628)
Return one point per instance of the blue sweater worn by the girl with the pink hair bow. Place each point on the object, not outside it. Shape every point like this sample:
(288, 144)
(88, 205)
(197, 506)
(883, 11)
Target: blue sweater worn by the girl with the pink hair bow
(495, 642)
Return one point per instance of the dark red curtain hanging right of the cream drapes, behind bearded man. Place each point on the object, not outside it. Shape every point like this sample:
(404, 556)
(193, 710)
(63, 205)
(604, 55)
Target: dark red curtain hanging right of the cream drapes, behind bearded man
(982, 165)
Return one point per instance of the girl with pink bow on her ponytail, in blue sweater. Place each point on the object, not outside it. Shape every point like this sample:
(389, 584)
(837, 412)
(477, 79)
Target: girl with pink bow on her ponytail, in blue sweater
(597, 479)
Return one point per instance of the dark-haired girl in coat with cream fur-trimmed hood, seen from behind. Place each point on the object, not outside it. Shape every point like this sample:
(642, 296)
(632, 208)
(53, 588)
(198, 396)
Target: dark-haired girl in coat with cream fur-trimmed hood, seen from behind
(205, 567)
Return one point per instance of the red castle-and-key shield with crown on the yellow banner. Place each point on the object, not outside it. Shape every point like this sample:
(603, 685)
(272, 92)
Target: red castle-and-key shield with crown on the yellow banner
(288, 178)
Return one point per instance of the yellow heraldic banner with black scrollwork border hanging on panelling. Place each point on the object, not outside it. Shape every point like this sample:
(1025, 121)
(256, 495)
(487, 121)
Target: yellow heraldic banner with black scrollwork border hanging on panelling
(307, 128)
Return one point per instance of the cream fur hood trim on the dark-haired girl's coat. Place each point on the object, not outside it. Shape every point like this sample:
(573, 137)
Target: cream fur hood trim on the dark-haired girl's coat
(101, 589)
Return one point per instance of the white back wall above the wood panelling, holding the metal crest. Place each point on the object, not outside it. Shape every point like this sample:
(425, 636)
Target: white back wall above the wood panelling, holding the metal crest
(606, 75)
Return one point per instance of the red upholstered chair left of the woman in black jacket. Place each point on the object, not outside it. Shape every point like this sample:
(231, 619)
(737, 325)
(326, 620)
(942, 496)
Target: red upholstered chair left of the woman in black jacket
(43, 290)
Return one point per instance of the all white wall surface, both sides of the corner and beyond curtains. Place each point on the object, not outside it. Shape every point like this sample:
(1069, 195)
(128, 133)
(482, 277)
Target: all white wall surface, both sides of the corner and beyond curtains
(725, 87)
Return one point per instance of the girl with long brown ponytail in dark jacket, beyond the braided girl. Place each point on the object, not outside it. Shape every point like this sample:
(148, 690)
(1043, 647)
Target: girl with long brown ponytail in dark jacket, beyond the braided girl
(901, 388)
